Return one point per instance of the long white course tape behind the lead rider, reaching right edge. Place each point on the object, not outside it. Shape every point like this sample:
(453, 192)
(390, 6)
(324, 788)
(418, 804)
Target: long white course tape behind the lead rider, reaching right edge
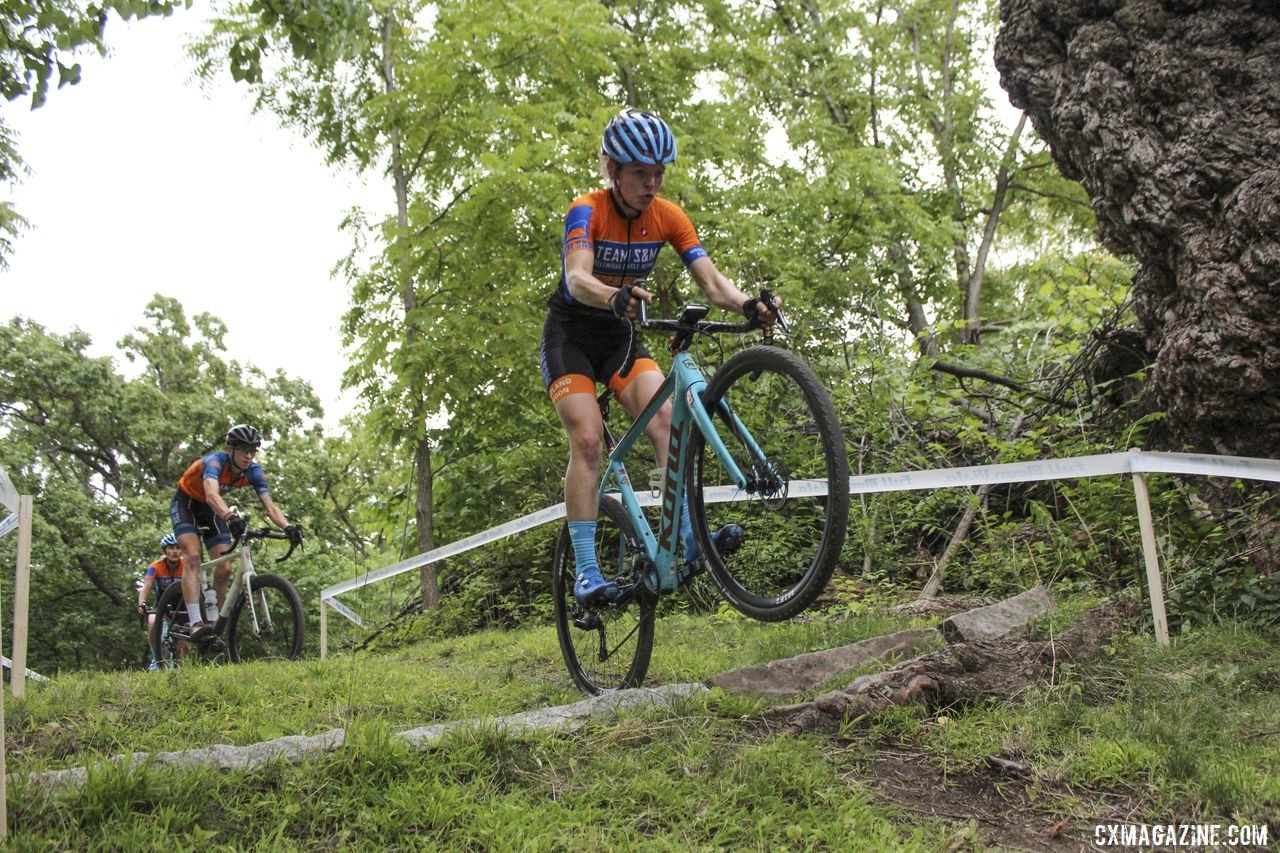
(1049, 469)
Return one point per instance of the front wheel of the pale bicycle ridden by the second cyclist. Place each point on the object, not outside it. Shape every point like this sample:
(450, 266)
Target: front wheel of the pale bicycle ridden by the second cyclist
(267, 626)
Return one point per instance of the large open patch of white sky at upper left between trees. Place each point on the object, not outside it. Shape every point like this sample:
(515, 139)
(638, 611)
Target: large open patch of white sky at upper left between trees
(145, 184)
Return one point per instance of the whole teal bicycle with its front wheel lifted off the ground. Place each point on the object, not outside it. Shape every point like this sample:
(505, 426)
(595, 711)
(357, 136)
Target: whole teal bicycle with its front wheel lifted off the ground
(760, 446)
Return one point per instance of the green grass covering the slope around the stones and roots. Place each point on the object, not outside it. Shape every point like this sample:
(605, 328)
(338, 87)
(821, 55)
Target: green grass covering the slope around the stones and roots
(1185, 735)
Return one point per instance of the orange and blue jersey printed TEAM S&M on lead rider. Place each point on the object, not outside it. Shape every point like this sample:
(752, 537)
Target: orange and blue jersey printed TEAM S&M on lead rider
(624, 249)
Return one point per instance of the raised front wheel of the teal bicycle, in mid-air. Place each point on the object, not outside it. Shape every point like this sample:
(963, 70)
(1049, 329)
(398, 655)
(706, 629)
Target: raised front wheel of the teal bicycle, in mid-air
(780, 427)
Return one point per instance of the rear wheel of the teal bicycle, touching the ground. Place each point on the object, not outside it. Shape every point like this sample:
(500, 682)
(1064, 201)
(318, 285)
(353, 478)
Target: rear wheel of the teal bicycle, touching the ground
(605, 647)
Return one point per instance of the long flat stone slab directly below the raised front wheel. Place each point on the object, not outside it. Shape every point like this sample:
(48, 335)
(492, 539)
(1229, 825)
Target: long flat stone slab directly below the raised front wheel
(808, 672)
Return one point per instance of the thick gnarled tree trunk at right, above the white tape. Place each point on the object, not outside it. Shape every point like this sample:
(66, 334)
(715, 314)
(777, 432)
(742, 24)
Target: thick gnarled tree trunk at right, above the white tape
(1169, 113)
